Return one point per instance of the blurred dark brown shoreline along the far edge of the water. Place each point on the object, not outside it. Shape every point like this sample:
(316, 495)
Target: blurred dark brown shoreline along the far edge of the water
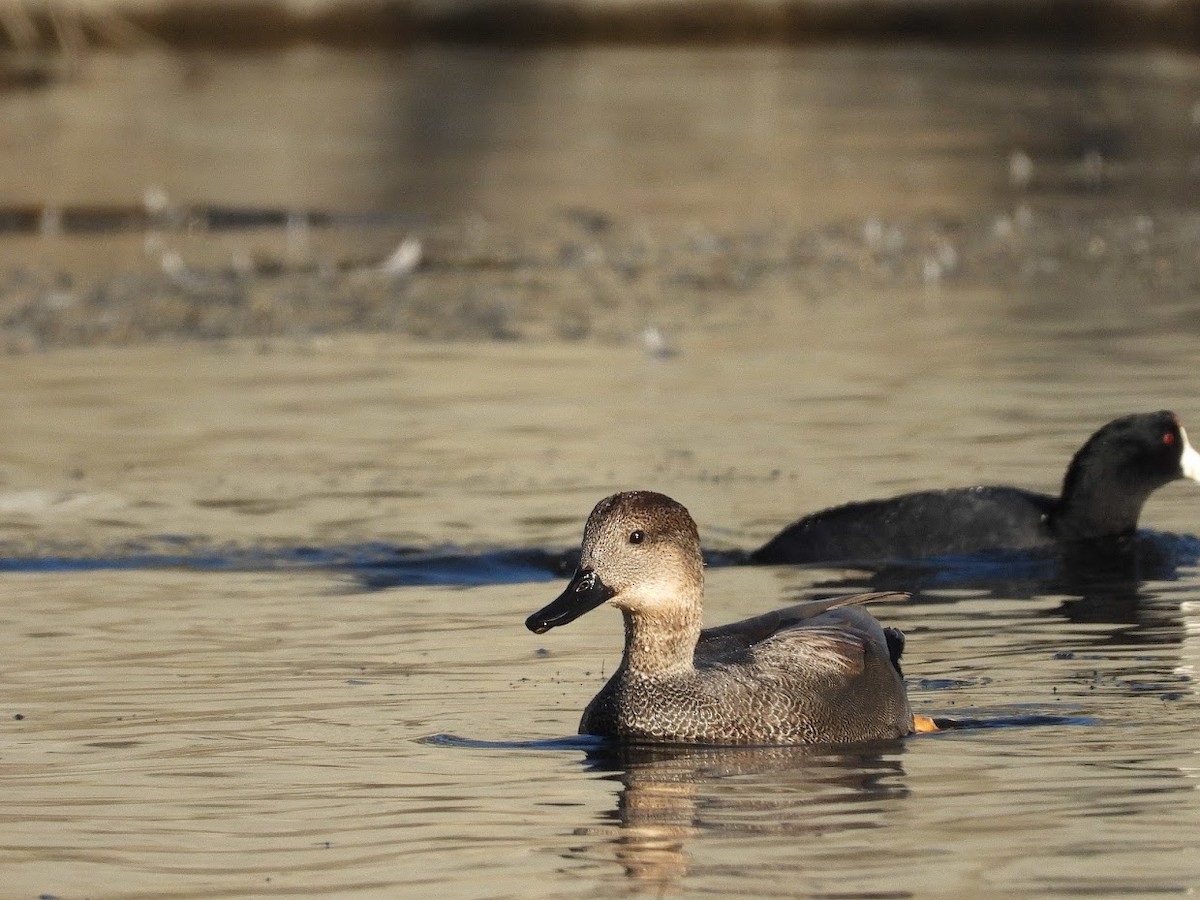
(265, 25)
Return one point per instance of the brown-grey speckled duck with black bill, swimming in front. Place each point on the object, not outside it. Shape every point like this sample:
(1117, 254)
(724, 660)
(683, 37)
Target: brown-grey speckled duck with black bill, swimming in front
(818, 673)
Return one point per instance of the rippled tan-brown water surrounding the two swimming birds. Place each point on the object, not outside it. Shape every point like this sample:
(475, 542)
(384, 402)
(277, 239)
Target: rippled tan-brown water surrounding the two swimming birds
(242, 725)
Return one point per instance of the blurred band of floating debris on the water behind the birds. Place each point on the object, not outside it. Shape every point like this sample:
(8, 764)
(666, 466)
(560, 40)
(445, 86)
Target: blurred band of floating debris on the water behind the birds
(586, 275)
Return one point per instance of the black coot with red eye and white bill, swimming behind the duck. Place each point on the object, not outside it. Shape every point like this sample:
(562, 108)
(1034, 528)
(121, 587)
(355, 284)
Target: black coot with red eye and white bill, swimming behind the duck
(1103, 493)
